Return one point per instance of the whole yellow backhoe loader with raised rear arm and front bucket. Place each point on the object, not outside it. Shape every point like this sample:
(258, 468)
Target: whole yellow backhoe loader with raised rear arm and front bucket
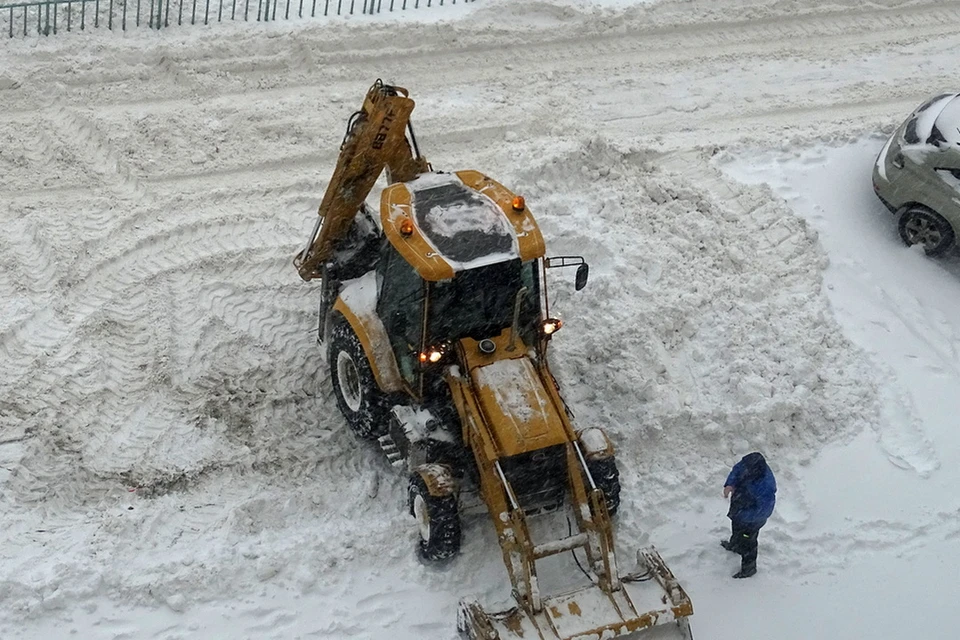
(436, 321)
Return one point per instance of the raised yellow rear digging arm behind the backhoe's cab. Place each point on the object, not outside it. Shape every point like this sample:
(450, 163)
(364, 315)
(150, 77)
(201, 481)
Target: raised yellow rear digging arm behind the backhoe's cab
(375, 141)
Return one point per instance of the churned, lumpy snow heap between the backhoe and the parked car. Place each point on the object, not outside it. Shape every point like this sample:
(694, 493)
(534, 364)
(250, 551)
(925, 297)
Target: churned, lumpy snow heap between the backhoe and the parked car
(703, 333)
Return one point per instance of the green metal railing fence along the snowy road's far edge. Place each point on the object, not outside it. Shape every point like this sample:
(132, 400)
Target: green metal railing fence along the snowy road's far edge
(48, 17)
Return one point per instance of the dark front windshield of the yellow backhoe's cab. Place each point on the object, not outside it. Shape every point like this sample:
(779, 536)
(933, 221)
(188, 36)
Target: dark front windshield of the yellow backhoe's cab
(478, 303)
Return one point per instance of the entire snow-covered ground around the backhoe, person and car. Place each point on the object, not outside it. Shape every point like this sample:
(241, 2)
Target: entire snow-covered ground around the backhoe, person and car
(172, 464)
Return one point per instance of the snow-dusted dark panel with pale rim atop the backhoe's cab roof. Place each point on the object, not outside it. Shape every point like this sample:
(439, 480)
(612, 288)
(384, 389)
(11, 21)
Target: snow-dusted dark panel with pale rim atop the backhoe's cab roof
(463, 225)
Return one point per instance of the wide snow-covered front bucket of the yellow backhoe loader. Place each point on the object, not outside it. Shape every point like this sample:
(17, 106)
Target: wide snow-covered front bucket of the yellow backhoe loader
(649, 597)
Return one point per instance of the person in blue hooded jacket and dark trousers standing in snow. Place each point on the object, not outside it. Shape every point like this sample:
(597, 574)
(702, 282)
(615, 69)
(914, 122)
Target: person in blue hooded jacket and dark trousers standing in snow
(754, 493)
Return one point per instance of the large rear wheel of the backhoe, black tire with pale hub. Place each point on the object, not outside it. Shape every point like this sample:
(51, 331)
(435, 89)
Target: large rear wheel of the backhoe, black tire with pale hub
(360, 401)
